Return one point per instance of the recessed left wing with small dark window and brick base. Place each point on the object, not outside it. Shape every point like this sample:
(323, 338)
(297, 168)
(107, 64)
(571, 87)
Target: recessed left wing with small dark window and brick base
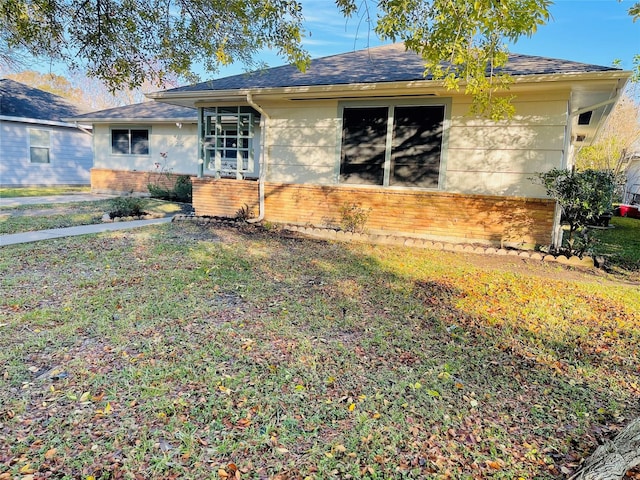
(139, 144)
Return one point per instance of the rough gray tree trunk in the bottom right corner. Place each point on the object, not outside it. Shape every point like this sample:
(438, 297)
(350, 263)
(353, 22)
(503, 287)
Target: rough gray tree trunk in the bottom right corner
(613, 459)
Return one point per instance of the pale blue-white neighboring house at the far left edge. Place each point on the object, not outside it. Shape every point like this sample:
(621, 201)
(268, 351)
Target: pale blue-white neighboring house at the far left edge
(37, 147)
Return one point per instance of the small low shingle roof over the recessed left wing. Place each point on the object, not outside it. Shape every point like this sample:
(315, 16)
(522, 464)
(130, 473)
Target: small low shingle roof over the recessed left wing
(140, 112)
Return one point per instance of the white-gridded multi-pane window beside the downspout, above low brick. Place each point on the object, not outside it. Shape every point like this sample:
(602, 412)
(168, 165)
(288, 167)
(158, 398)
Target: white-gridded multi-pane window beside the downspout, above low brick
(228, 134)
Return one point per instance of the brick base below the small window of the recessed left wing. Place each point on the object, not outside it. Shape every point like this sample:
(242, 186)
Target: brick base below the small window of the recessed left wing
(125, 181)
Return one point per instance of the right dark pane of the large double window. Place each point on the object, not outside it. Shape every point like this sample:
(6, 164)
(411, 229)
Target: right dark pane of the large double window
(416, 146)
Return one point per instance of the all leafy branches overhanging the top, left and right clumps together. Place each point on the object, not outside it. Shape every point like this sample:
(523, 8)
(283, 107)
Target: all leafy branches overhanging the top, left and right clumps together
(128, 42)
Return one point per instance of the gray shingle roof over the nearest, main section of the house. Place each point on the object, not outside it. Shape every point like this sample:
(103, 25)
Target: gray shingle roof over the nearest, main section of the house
(390, 63)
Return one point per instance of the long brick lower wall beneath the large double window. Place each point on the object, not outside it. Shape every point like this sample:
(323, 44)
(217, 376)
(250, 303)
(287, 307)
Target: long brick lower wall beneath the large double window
(437, 215)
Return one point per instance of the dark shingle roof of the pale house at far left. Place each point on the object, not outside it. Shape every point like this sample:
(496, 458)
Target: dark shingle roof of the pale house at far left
(22, 101)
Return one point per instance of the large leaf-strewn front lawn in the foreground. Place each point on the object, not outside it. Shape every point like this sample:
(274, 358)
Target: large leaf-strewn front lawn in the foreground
(191, 352)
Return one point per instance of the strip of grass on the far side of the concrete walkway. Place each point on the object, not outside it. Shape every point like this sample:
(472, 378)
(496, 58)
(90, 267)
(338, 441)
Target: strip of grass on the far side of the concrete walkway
(29, 218)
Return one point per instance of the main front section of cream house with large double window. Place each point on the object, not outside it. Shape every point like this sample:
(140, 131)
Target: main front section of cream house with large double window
(368, 130)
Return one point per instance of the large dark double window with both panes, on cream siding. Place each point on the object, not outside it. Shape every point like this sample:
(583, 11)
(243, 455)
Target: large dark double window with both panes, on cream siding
(393, 145)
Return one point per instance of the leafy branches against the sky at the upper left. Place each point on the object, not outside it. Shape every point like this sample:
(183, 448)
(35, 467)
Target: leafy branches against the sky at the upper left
(128, 42)
